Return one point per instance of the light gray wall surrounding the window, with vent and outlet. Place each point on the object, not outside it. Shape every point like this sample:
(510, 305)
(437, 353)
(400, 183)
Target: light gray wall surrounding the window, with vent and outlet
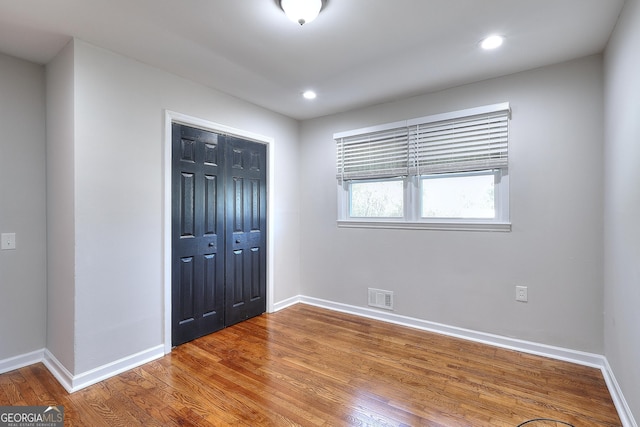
(468, 279)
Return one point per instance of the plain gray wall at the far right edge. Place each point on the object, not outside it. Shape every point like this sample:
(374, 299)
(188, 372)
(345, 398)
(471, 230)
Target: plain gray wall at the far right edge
(622, 204)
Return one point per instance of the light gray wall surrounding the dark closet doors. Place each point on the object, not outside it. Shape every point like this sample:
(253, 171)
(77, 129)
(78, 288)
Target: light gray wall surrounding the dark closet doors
(118, 188)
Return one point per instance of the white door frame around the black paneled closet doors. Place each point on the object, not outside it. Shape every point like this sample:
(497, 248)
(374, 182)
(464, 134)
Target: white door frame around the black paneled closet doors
(171, 117)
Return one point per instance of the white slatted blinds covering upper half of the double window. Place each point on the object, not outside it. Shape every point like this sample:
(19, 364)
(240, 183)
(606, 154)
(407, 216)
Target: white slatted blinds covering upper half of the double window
(461, 141)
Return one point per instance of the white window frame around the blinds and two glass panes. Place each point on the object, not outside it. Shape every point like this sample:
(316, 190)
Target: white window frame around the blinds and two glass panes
(412, 182)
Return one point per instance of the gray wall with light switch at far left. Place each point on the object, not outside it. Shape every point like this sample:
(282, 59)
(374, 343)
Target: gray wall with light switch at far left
(22, 207)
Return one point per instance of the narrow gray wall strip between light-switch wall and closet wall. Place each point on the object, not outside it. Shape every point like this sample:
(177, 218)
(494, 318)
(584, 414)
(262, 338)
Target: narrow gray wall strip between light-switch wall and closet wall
(60, 208)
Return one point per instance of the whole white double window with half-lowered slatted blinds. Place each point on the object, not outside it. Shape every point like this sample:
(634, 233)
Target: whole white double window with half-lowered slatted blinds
(448, 171)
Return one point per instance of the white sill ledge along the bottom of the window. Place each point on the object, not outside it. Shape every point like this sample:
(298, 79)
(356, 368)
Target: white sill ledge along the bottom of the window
(451, 226)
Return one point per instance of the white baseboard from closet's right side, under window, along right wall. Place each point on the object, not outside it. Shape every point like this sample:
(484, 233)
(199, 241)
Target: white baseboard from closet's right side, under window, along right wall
(574, 356)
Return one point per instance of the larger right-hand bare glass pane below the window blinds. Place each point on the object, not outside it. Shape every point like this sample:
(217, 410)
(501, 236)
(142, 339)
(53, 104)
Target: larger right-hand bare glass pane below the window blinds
(458, 196)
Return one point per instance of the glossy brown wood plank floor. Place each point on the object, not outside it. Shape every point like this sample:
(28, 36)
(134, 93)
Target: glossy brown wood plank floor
(308, 366)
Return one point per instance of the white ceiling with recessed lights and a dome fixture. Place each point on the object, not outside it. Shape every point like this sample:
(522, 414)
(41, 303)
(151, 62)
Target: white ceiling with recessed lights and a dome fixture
(356, 53)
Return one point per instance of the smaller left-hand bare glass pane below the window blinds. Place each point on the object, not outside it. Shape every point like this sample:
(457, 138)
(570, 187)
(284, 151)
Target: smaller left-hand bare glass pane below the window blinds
(376, 199)
